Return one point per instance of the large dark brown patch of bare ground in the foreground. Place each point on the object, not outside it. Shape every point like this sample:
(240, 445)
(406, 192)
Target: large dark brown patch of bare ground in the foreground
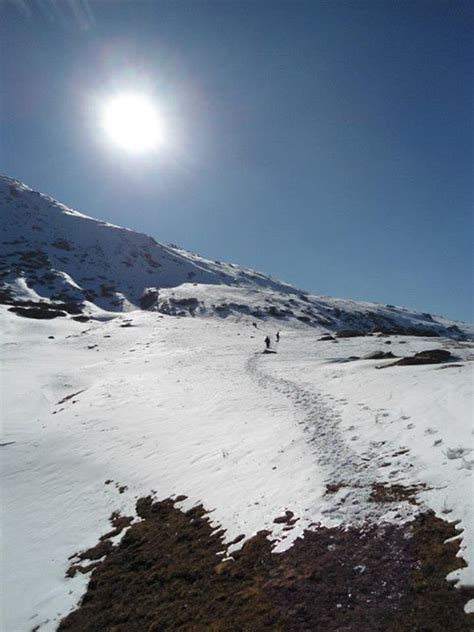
(170, 573)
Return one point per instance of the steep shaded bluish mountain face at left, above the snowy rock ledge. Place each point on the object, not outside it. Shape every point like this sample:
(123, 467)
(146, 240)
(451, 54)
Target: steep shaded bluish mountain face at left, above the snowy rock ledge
(65, 255)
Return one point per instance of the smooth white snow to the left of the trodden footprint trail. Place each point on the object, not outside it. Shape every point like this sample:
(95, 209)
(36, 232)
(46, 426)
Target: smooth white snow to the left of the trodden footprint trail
(165, 405)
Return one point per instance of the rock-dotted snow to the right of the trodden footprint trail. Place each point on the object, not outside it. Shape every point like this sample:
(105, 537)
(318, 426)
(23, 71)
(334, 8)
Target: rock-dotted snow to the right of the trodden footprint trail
(413, 424)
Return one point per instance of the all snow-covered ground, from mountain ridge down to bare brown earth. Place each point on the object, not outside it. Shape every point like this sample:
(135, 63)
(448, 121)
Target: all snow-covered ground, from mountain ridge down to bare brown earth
(97, 414)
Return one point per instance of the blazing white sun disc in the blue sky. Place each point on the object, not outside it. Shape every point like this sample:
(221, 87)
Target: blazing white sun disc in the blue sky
(131, 121)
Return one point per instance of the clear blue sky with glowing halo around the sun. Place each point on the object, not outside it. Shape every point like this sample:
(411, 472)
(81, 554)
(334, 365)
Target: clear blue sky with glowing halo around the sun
(329, 144)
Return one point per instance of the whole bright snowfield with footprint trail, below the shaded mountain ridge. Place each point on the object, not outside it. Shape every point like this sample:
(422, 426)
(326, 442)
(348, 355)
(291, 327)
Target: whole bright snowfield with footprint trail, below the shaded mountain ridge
(192, 406)
